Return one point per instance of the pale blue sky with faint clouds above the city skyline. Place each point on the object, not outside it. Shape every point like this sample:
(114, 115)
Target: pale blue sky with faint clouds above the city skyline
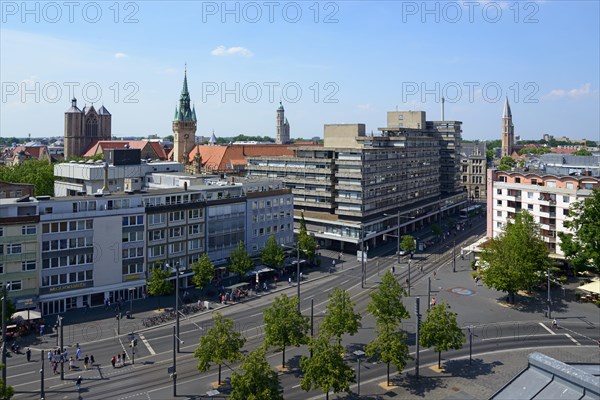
(339, 62)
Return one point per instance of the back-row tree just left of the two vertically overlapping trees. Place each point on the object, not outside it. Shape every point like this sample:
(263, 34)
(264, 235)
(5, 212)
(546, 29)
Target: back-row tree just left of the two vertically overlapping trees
(340, 318)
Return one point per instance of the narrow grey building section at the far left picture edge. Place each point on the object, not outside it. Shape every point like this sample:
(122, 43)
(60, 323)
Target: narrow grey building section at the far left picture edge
(19, 238)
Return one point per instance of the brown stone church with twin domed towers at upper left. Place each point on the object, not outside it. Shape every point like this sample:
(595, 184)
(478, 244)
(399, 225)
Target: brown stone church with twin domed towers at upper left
(85, 127)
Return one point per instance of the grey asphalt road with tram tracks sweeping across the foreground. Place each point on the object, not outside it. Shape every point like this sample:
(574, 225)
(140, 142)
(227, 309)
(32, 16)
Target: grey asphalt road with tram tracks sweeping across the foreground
(494, 328)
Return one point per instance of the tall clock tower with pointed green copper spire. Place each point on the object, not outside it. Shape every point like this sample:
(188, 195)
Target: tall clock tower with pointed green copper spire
(184, 126)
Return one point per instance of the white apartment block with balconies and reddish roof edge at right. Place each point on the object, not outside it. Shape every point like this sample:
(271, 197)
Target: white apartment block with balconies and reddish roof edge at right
(545, 196)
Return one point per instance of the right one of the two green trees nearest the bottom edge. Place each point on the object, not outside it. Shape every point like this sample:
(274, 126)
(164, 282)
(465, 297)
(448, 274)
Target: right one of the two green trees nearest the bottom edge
(326, 369)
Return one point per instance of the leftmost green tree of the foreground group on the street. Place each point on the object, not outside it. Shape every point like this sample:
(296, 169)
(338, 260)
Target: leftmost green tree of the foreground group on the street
(221, 343)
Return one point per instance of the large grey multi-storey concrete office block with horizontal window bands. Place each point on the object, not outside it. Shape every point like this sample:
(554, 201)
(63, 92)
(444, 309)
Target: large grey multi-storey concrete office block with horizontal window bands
(357, 187)
